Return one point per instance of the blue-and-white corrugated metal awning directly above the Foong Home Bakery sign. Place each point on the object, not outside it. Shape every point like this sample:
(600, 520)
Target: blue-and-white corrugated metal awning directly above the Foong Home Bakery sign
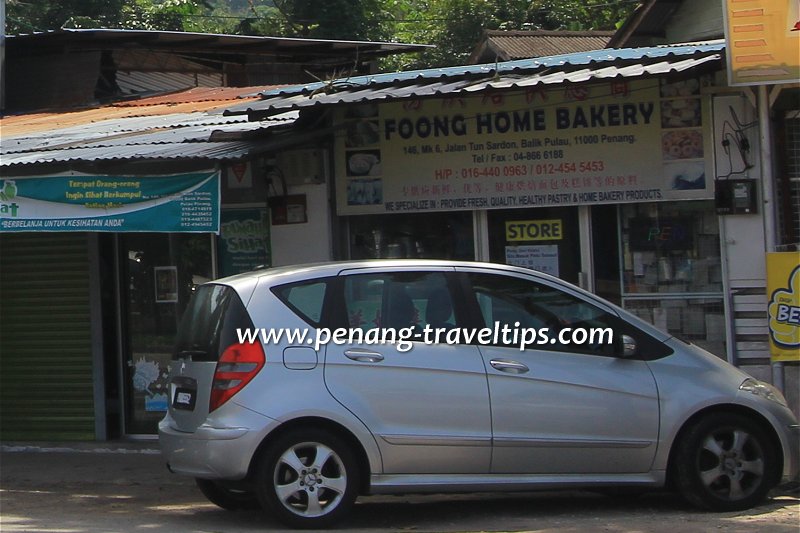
(574, 68)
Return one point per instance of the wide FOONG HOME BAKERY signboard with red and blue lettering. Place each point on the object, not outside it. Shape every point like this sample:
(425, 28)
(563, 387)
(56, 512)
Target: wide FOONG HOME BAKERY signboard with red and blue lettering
(614, 142)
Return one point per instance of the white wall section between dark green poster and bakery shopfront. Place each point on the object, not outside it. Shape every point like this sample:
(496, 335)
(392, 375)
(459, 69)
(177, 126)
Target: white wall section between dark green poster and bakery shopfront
(305, 243)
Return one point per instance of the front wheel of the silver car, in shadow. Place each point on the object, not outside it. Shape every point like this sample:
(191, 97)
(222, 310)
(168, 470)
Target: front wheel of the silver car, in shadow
(725, 462)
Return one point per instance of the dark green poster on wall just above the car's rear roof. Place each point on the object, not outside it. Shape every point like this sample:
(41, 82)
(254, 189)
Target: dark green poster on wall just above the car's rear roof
(244, 242)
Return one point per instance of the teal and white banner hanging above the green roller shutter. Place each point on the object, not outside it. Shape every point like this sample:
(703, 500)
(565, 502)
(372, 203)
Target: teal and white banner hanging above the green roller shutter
(182, 203)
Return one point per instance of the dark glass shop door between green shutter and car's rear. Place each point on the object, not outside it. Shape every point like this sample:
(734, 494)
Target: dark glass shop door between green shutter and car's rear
(159, 272)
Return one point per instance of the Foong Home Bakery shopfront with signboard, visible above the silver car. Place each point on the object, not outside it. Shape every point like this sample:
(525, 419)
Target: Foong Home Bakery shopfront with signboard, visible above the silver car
(607, 184)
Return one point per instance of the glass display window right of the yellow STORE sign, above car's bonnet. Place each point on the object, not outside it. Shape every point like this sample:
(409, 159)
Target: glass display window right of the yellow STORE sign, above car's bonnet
(671, 270)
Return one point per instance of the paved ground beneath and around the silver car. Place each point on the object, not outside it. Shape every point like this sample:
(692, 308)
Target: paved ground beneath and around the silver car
(125, 488)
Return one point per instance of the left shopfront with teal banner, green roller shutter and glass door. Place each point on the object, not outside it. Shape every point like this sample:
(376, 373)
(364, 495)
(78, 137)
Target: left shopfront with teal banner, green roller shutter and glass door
(97, 268)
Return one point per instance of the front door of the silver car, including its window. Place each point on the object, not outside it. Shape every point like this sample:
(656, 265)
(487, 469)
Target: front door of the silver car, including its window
(561, 409)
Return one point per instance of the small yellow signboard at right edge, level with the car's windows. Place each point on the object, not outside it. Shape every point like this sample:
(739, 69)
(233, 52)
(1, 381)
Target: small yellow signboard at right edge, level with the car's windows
(783, 288)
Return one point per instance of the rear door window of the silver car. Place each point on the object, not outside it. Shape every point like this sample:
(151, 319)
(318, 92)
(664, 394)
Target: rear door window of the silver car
(398, 300)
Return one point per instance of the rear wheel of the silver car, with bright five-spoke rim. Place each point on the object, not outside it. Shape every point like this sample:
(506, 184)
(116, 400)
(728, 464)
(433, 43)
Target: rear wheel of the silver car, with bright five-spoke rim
(308, 478)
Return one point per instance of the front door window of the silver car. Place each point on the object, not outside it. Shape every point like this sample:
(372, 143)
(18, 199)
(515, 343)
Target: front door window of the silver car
(521, 303)
